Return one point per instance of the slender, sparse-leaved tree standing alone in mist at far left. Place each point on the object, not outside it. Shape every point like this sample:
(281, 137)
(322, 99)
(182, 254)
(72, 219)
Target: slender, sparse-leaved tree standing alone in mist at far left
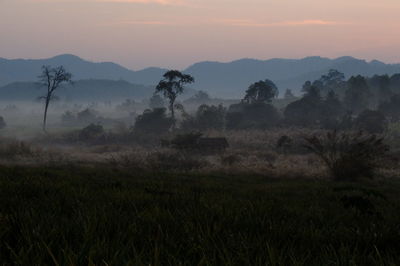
(52, 78)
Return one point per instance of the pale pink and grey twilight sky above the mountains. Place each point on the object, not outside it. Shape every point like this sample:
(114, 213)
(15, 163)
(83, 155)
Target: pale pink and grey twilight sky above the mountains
(178, 33)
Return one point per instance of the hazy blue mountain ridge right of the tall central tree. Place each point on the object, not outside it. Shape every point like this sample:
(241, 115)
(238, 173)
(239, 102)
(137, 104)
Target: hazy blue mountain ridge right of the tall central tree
(234, 77)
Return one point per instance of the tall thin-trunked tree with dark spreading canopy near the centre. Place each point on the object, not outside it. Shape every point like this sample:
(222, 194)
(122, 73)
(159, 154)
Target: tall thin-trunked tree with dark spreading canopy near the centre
(172, 85)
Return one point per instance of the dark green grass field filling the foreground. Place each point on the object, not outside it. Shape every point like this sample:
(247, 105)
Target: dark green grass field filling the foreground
(74, 215)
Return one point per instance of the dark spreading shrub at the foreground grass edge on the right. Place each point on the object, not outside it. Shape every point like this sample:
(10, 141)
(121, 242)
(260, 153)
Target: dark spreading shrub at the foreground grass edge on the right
(348, 156)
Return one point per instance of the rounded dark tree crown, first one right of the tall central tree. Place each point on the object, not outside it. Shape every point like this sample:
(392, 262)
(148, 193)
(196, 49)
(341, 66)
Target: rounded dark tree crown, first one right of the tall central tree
(261, 92)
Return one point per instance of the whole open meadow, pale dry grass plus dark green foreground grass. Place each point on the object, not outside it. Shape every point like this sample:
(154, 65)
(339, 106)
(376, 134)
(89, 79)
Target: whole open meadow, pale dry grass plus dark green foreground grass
(117, 199)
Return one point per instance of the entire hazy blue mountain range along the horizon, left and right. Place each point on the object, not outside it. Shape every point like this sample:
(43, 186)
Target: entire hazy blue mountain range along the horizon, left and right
(227, 80)
